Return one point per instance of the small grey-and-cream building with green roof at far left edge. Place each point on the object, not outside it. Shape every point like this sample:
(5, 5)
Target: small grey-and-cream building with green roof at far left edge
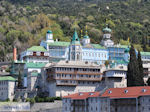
(7, 87)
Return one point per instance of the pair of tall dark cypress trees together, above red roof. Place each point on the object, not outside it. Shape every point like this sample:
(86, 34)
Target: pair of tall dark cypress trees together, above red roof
(135, 69)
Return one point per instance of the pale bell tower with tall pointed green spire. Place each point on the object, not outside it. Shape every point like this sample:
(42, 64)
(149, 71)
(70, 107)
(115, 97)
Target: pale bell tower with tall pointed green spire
(75, 48)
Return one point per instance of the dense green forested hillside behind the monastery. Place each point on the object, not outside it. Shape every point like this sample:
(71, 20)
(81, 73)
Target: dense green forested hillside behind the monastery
(23, 23)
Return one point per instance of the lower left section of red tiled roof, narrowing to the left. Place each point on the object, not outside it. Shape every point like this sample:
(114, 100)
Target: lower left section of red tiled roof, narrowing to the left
(83, 95)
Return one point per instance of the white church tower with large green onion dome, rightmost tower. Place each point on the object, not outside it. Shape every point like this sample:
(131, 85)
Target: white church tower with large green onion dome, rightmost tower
(106, 41)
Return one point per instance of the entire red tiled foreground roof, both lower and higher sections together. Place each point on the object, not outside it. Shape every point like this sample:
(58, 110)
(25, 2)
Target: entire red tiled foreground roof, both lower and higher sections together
(114, 93)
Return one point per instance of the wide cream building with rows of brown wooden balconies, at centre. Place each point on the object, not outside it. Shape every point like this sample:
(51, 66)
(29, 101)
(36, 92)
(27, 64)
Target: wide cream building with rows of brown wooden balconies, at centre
(68, 77)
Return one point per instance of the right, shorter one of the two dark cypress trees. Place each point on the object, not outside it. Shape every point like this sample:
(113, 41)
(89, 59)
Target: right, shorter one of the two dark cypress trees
(139, 78)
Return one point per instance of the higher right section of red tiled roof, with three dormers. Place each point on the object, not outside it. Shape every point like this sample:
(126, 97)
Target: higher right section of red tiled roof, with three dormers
(128, 92)
